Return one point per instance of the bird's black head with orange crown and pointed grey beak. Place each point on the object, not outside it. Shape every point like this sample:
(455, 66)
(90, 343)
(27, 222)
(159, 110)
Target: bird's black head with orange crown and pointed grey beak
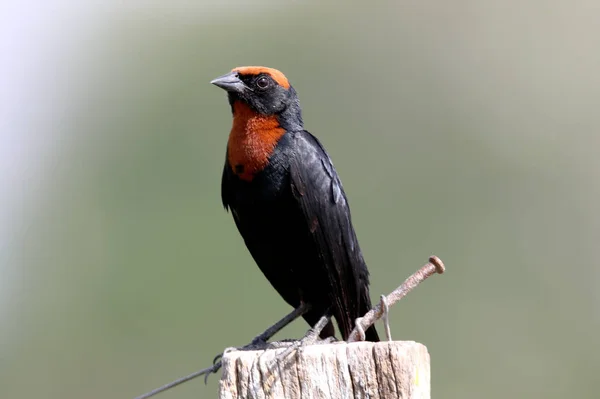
(265, 90)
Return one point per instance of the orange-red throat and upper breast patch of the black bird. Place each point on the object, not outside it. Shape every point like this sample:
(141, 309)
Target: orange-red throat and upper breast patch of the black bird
(252, 139)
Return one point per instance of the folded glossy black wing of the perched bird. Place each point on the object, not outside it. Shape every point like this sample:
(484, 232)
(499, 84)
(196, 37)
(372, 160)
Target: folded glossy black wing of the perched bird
(319, 193)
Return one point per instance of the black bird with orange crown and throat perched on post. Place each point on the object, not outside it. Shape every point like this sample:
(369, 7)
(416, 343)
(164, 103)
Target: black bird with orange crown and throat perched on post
(289, 205)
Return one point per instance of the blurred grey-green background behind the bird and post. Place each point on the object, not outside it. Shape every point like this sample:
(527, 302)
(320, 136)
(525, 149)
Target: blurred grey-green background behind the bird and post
(465, 129)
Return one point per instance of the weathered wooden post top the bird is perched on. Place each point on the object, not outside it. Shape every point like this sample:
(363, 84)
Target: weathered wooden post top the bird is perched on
(382, 370)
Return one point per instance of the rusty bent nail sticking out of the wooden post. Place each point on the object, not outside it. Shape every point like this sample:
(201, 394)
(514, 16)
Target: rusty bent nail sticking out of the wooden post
(434, 266)
